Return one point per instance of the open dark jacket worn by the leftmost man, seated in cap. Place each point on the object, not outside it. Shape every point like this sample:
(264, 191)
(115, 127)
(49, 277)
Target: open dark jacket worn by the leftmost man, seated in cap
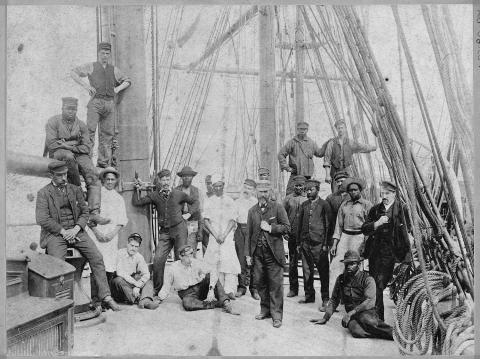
(47, 210)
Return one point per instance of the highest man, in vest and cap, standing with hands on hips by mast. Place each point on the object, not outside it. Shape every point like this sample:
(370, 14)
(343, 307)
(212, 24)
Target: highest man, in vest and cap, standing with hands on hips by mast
(105, 81)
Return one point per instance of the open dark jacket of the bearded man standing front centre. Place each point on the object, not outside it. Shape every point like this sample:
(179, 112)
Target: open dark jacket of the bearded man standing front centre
(277, 217)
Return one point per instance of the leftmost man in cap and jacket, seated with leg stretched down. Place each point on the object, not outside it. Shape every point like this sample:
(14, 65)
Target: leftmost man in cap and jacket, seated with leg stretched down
(62, 214)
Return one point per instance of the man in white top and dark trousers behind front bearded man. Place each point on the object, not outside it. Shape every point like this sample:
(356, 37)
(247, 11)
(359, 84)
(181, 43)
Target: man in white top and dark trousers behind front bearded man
(246, 201)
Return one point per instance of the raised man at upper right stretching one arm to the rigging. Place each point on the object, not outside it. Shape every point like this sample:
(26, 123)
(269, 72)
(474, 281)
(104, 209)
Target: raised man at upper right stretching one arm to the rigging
(339, 152)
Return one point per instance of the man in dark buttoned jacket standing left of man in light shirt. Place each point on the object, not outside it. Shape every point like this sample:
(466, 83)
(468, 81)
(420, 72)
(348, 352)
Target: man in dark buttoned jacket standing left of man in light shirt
(314, 235)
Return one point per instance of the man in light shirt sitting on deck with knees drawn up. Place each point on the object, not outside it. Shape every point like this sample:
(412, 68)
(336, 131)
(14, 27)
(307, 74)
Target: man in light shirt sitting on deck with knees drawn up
(132, 283)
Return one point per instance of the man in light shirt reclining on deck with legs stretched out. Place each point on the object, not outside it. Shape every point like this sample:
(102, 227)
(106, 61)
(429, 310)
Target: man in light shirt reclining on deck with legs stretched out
(197, 288)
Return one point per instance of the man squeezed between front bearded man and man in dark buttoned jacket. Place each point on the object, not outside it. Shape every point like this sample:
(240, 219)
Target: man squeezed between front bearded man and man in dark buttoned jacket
(292, 203)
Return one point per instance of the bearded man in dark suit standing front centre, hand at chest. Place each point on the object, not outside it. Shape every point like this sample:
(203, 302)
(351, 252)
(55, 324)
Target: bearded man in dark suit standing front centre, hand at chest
(266, 224)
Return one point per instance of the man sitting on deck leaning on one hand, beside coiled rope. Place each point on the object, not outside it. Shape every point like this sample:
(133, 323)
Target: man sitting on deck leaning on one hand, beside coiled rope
(357, 291)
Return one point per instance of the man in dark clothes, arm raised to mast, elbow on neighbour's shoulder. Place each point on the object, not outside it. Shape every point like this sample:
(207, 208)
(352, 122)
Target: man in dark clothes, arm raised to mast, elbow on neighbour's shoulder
(172, 225)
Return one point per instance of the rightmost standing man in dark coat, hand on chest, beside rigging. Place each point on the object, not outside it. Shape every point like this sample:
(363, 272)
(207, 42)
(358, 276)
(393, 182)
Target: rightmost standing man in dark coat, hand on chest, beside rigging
(387, 225)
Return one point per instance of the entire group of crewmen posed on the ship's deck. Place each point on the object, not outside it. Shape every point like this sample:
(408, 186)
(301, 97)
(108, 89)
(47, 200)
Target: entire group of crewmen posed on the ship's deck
(241, 239)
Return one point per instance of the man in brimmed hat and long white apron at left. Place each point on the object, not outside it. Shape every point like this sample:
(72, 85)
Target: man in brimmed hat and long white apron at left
(106, 236)
